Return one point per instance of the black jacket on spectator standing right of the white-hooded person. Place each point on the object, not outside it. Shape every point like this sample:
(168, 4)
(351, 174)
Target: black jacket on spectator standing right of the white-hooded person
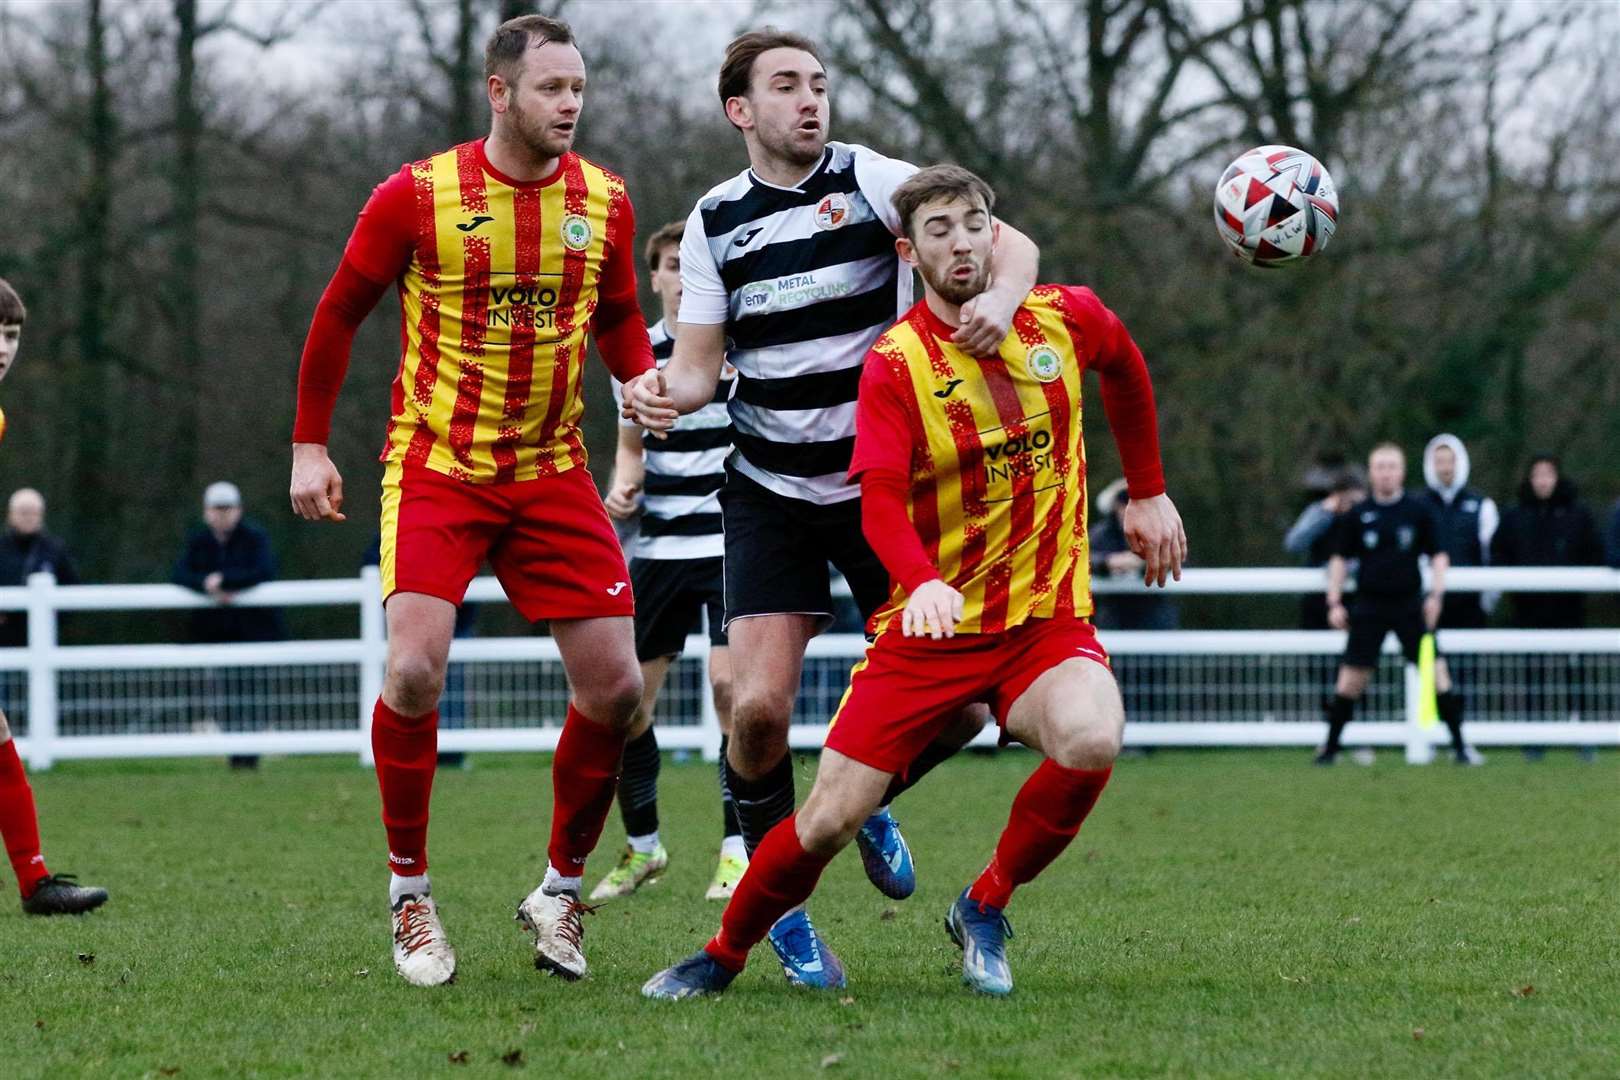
(1556, 532)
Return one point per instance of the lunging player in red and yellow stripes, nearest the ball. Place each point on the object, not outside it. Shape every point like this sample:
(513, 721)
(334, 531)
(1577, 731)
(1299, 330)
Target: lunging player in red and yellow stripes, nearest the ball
(973, 482)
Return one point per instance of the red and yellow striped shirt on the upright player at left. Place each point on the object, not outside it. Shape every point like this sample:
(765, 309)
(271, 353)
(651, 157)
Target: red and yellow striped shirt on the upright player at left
(500, 283)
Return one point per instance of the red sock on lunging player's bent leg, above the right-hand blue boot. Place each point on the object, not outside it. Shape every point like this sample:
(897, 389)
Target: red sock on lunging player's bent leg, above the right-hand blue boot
(1046, 817)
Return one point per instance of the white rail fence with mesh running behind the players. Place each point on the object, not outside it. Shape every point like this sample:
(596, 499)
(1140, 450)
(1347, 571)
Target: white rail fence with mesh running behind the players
(1183, 689)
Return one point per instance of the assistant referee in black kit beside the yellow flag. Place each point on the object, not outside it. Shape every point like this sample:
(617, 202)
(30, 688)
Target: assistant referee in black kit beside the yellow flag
(1388, 535)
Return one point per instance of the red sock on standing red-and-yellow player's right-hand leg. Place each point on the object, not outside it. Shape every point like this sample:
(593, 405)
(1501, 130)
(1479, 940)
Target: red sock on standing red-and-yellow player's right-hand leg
(584, 780)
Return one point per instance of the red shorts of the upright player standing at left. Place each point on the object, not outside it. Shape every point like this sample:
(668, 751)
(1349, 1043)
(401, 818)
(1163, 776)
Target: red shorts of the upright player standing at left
(548, 540)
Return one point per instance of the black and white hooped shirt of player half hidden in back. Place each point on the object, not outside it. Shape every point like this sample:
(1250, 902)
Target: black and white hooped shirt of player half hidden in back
(684, 474)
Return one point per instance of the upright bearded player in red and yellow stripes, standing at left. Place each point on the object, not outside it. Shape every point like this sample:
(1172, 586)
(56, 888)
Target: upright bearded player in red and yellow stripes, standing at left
(508, 253)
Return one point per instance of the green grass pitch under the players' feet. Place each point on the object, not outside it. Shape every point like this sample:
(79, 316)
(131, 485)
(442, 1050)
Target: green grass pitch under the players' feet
(1222, 916)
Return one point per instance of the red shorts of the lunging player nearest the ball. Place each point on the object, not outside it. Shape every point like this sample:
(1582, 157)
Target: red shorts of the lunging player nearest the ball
(906, 691)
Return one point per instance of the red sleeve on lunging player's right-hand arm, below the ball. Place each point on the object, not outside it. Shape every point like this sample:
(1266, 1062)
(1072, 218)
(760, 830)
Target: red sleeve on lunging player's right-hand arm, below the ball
(1128, 391)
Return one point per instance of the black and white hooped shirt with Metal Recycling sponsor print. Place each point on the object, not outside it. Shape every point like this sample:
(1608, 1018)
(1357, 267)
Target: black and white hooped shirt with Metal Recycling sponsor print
(806, 279)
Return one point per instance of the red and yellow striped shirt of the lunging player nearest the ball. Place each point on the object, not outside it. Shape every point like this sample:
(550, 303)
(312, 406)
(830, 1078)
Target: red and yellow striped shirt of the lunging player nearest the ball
(992, 453)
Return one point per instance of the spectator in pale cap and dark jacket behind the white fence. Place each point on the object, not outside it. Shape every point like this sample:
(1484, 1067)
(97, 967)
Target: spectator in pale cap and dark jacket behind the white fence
(224, 558)
